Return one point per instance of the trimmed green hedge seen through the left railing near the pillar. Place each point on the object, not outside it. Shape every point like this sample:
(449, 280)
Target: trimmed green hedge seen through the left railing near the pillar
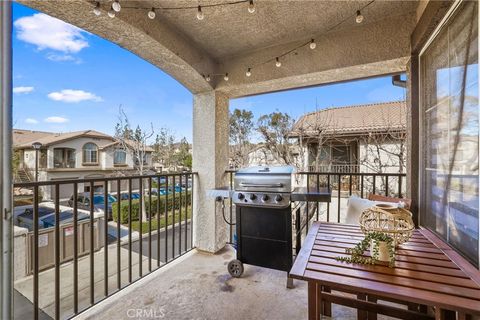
(136, 206)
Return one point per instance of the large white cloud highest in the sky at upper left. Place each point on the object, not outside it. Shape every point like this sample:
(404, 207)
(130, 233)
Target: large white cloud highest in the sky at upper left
(47, 32)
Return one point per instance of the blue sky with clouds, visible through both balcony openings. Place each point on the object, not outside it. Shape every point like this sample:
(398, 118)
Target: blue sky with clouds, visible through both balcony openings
(66, 79)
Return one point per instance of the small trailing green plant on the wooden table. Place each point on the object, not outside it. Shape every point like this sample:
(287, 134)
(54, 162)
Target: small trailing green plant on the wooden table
(358, 251)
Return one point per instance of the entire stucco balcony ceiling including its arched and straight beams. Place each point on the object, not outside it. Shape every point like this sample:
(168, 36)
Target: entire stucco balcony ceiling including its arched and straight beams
(230, 39)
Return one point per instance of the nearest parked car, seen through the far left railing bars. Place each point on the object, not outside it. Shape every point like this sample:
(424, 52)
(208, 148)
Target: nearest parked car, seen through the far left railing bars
(46, 215)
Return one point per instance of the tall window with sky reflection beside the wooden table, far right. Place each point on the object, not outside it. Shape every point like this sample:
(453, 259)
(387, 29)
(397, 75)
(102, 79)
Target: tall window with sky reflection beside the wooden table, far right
(450, 146)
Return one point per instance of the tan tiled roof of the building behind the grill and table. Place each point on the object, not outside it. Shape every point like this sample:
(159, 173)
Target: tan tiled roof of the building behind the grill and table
(357, 119)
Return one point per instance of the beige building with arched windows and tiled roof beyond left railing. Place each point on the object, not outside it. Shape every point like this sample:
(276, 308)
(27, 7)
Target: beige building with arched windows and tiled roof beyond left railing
(72, 156)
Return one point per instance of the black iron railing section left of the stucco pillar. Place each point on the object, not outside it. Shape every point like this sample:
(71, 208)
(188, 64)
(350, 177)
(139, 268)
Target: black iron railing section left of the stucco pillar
(165, 202)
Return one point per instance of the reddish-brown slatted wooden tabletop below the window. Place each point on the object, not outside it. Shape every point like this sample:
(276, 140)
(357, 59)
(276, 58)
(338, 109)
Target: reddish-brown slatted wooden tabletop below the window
(427, 271)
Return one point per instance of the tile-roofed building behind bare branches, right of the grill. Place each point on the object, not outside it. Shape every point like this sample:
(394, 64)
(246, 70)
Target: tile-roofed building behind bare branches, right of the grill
(360, 138)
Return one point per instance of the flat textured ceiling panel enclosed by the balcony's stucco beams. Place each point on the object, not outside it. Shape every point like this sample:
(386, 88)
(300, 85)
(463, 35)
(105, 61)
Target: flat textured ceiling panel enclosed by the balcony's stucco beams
(231, 30)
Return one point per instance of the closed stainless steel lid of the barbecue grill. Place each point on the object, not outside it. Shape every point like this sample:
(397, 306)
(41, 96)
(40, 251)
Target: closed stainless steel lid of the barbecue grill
(265, 179)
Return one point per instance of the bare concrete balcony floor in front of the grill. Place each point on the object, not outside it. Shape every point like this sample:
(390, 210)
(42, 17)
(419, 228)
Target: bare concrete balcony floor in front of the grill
(198, 286)
